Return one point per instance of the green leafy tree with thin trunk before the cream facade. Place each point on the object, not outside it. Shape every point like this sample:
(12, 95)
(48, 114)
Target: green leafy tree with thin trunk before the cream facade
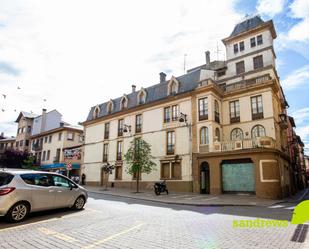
(138, 159)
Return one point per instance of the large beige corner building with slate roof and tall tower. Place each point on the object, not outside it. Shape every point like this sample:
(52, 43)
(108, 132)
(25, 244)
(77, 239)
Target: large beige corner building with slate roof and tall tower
(219, 128)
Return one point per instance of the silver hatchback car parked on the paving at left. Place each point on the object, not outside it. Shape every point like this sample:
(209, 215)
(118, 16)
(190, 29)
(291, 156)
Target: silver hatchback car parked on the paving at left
(25, 191)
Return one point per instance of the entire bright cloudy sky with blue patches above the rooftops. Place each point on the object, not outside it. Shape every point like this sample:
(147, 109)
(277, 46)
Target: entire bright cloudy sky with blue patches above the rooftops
(71, 55)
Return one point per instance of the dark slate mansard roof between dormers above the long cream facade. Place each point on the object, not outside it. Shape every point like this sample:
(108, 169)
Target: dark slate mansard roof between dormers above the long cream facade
(187, 83)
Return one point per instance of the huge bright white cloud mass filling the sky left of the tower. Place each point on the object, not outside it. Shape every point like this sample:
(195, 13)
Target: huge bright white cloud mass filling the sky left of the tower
(78, 53)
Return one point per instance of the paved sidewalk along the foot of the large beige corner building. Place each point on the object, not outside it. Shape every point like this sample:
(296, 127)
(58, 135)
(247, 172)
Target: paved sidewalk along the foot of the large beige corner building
(191, 198)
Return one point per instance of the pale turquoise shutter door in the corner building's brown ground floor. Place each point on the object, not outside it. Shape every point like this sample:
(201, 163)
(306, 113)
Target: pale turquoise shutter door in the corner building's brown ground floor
(238, 177)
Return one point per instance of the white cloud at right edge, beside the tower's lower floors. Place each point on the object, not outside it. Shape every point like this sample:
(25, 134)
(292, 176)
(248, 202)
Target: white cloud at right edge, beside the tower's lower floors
(296, 78)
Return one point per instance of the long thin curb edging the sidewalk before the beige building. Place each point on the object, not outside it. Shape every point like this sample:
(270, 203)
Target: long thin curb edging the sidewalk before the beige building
(179, 203)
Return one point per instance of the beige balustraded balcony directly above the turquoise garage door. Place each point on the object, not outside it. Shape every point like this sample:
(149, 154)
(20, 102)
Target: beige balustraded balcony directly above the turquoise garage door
(260, 142)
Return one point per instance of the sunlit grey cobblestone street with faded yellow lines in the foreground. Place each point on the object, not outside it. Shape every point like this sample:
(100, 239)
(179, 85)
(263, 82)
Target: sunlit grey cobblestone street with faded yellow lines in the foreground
(117, 222)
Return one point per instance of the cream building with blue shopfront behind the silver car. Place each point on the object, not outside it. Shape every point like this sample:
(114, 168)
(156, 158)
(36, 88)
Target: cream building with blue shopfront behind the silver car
(52, 139)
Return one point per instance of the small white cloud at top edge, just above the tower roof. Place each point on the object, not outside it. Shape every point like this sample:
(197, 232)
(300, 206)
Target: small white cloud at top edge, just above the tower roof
(270, 7)
